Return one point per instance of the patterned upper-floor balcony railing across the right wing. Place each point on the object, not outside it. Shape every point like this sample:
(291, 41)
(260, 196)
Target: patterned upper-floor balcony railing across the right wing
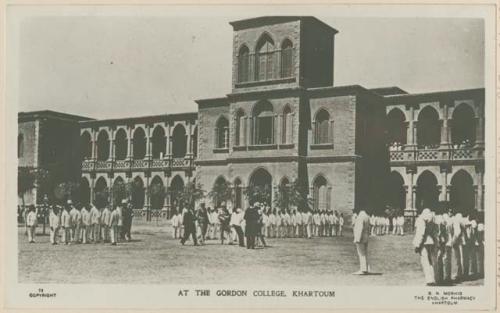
(436, 154)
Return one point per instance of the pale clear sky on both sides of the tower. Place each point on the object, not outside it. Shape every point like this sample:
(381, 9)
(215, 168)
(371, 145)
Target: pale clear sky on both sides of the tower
(105, 66)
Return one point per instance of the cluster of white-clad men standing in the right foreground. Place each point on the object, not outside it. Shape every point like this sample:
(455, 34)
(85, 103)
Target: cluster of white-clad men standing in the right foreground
(442, 236)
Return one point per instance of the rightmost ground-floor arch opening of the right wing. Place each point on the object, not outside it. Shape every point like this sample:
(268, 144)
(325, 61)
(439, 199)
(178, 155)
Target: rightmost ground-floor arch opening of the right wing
(462, 193)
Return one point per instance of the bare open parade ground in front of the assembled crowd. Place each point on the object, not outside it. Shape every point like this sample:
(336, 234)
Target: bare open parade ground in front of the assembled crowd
(154, 257)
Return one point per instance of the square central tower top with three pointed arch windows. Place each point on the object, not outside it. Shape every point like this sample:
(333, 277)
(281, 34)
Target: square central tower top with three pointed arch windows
(273, 52)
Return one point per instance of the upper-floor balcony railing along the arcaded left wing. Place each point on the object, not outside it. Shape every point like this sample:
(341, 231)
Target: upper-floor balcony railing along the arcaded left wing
(90, 165)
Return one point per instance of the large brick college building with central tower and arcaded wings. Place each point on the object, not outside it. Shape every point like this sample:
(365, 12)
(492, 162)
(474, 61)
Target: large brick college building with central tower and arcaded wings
(285, 120)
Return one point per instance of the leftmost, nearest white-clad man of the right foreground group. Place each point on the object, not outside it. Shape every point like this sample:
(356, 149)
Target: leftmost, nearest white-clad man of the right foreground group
(424, 243)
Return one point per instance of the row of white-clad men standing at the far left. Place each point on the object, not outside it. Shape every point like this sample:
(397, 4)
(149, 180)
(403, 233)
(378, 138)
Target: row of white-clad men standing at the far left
(84, 224)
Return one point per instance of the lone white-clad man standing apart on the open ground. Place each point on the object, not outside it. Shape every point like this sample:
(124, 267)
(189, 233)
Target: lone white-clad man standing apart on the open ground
(361, 234)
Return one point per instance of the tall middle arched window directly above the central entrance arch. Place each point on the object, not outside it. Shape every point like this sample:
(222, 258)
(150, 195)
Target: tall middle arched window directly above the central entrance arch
(263, 123)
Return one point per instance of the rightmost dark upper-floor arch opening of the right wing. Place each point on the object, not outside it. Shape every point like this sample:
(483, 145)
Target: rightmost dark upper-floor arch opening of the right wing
(463, 126)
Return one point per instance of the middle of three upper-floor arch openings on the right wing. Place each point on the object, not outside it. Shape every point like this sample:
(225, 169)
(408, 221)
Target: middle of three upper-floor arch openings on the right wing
(428, 128)
